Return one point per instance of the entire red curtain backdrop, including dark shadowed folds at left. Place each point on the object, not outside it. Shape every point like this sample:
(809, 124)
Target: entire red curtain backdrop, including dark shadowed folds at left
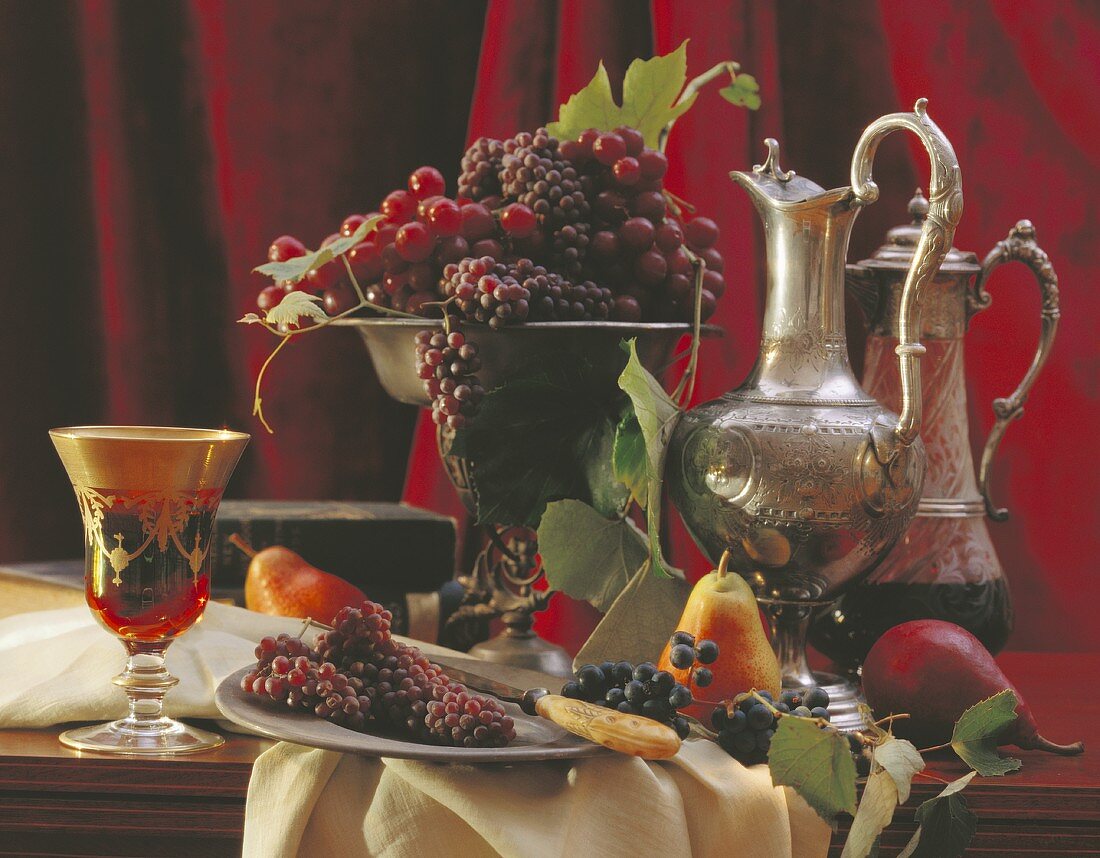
(151, 151)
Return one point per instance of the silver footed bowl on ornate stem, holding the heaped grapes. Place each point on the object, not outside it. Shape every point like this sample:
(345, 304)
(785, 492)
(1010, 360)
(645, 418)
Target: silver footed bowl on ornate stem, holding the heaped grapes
(502, 584)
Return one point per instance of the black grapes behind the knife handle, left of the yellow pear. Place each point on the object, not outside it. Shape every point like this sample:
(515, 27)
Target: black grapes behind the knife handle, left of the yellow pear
(634, 690)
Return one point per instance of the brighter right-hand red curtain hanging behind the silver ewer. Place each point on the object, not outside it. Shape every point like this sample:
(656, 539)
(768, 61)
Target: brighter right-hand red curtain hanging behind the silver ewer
(1014, 91)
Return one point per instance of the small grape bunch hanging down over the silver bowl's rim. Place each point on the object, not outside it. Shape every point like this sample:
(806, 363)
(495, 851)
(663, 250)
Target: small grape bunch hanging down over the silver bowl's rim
(448, 365)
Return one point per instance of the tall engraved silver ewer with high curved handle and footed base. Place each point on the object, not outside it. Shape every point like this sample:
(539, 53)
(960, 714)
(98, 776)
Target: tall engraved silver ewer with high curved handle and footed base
(804, 477)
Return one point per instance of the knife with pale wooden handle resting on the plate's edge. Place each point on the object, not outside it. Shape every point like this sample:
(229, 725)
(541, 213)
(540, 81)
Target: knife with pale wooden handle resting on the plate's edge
(634, 735)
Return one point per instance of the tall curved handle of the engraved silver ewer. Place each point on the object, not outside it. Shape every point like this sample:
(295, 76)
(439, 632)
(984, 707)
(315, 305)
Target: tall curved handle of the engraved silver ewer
(945, 208)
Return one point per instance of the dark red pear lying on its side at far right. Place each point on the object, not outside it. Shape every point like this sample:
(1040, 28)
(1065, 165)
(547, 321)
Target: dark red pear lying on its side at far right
(936, 672)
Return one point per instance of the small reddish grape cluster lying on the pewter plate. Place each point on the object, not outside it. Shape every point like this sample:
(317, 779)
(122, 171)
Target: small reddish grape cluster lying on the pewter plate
(359, 674)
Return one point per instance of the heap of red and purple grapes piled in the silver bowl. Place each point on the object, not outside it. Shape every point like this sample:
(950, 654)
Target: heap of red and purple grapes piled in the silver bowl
(591, 212)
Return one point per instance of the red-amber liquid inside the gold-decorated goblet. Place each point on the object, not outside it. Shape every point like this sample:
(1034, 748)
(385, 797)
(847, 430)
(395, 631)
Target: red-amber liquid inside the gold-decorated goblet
(158, 596)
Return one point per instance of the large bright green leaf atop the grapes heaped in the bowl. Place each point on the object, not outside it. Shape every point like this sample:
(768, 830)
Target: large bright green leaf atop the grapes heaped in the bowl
(651, 90)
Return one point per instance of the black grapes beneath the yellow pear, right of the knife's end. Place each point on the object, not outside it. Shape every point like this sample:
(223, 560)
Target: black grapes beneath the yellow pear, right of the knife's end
(746, 725)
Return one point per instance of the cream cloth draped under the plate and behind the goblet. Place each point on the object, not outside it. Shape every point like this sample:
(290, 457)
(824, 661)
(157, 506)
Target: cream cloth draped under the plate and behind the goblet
(307, 802)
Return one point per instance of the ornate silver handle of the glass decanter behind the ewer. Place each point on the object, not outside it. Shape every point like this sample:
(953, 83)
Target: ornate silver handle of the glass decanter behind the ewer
(1019, 247)
